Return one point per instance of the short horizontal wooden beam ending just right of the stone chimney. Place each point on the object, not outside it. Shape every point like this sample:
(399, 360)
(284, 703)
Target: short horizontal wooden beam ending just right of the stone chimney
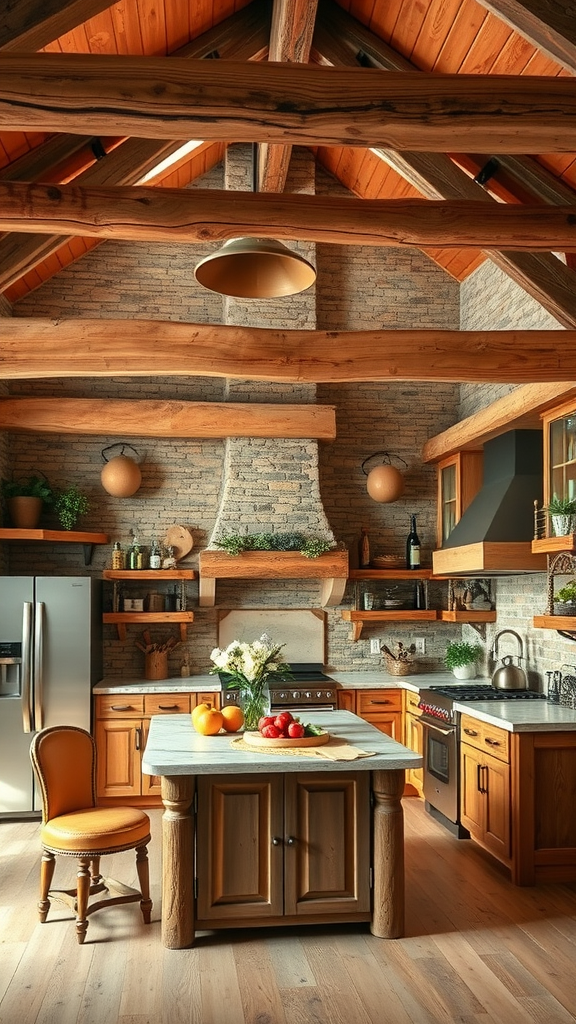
(166, 419)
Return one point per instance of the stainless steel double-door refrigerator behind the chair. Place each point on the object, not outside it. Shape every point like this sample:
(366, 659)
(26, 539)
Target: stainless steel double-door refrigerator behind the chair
(51, 657)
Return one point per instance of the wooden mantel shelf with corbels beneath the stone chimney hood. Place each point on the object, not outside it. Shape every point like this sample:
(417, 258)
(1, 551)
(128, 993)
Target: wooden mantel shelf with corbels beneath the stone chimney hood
(332, 569)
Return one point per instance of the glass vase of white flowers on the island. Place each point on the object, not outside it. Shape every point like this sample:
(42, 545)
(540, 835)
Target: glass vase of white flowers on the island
(249, 668)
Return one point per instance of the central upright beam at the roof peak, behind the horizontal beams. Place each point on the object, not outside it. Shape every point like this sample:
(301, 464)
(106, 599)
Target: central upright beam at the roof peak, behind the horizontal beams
(291, 40)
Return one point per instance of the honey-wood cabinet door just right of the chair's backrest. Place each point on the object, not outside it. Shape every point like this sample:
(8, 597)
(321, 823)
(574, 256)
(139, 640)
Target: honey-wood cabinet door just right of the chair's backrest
(119, 746)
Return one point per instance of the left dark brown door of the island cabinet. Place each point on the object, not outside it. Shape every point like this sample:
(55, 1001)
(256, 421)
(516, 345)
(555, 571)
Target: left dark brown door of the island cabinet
(239, 869)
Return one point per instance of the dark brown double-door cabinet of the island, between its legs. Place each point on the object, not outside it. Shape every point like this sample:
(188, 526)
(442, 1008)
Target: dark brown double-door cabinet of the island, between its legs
(282, 848)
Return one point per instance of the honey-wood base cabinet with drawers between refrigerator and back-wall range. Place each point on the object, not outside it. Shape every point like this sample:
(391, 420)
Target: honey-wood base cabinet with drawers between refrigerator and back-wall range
(121, 724)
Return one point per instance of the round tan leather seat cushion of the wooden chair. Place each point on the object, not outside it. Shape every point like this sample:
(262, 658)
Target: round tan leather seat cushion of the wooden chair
(97, 830)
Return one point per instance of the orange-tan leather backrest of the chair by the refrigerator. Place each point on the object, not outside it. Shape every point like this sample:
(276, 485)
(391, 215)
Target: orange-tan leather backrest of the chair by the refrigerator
(65, 760)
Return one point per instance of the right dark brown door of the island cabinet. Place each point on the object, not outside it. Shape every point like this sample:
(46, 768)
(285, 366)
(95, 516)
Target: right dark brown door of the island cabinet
(327, 844)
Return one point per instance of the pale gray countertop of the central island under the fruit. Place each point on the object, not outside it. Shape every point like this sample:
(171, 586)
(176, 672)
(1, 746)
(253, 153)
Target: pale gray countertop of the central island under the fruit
(174, 748)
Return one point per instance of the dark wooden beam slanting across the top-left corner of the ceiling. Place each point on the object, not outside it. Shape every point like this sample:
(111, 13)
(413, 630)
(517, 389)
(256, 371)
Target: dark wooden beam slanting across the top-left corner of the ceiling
(30, 25)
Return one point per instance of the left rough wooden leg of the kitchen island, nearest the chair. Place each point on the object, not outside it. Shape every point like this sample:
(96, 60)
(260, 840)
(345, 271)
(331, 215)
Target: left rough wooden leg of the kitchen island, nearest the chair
(178, 862)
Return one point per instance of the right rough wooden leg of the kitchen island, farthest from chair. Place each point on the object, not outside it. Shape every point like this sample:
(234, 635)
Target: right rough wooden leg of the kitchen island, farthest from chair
(388, 915)
